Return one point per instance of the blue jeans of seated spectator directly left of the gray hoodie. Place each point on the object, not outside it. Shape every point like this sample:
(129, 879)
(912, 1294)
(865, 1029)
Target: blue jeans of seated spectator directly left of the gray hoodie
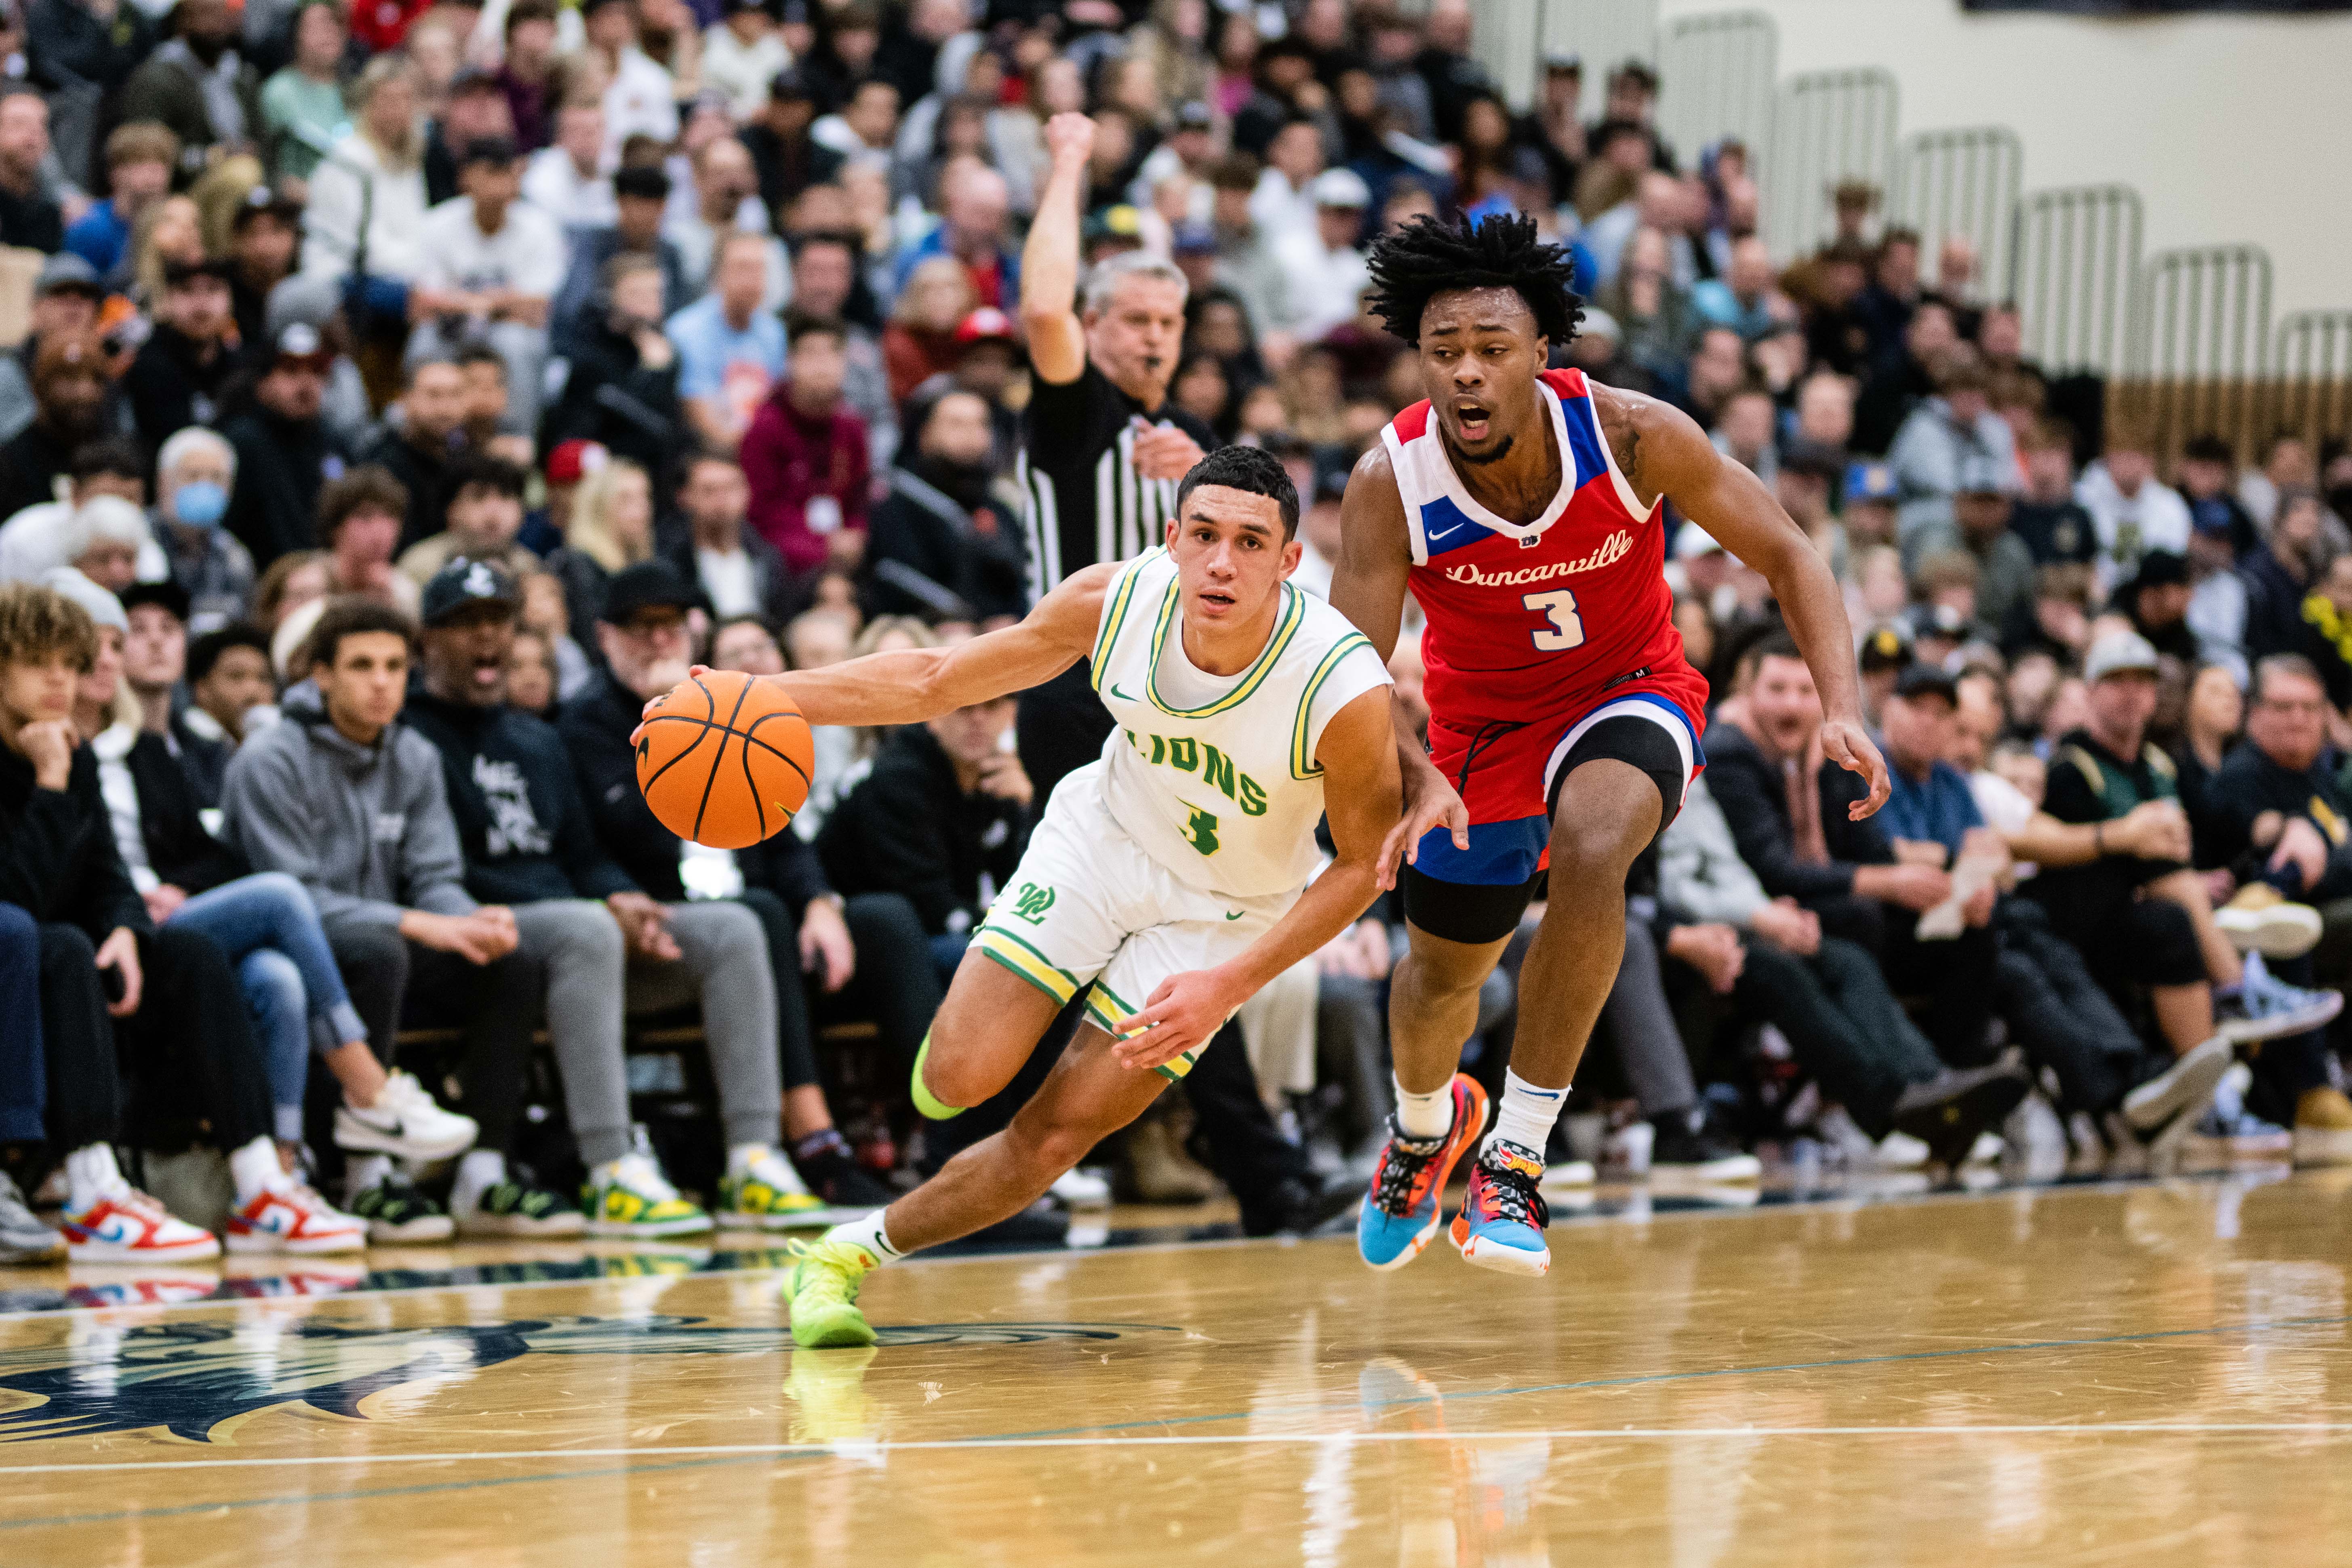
(269, 930)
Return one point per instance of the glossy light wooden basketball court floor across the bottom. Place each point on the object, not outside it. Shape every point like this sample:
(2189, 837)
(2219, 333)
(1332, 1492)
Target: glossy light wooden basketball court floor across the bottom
(2118, 1374)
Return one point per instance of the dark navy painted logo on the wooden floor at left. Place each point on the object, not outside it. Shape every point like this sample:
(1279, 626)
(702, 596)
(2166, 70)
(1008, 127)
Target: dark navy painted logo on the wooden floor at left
(194, 1379)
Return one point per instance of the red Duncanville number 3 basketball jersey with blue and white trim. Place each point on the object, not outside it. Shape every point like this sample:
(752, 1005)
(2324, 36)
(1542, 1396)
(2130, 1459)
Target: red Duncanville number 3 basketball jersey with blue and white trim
(1532, 624)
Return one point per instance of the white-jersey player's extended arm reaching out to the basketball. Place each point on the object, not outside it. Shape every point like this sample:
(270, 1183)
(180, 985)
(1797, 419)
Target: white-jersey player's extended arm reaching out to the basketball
(916, 685)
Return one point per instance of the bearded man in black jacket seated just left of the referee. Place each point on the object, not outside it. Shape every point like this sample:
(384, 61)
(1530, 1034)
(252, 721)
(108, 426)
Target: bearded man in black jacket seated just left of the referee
(942, 544)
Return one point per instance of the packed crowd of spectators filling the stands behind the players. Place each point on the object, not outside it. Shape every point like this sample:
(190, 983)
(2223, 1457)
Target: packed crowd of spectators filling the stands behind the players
(410, 391)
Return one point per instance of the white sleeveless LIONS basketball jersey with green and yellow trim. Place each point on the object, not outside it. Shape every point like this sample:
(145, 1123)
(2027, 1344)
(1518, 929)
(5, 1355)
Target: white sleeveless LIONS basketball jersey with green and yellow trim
(1215, 775)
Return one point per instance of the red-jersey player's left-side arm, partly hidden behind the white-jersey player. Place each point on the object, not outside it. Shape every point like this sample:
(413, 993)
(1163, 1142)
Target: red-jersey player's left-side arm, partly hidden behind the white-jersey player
(1368, 587)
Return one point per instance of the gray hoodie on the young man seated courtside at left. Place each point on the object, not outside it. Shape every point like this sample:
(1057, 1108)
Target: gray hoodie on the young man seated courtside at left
(366, 829)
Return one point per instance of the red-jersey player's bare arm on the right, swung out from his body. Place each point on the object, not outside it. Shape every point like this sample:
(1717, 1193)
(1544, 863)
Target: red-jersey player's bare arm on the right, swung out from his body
(1673, 457)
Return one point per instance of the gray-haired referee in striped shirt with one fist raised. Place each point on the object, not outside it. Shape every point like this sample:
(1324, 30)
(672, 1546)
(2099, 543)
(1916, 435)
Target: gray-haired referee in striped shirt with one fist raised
(1104, 448)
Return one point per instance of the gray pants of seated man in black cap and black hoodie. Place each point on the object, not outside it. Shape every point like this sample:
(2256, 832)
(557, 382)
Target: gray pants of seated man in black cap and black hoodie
(589, 979)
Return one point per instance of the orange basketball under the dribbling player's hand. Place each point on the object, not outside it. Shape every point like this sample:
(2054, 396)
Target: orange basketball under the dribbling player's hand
(726, 760)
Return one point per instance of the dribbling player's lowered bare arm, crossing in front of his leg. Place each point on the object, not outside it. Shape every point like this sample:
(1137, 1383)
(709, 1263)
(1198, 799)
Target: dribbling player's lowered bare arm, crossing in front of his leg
(1361, 798)
